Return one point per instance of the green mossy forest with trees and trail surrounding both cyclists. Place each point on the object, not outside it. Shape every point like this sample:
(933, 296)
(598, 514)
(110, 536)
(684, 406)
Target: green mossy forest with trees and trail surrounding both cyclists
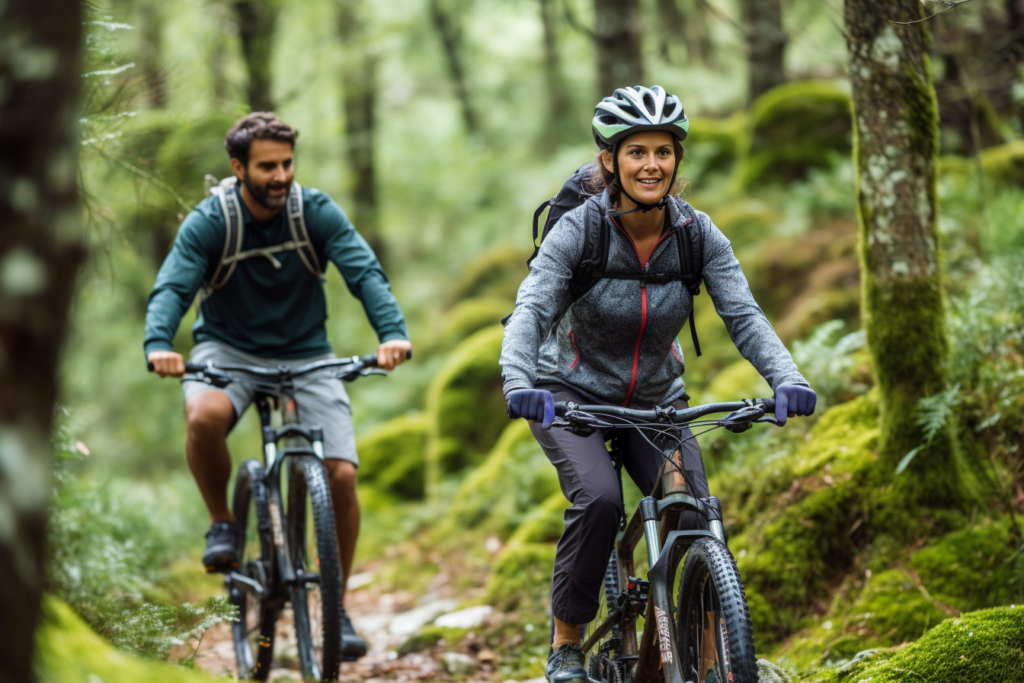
(865, 159)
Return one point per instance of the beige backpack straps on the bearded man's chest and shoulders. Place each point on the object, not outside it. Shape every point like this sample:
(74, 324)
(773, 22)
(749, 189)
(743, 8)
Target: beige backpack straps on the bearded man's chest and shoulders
(235, 234)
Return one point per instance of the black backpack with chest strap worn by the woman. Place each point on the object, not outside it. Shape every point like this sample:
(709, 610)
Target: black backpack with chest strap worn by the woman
(577, 192)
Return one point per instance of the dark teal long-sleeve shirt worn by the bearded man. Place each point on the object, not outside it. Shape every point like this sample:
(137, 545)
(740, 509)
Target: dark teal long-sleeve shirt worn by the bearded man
(264, 311)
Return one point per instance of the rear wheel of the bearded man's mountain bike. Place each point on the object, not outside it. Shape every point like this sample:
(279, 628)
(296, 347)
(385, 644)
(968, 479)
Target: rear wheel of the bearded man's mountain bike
(253, 632)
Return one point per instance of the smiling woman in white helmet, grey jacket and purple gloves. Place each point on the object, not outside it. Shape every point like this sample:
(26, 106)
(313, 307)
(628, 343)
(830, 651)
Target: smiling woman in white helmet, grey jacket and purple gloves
(617, 344)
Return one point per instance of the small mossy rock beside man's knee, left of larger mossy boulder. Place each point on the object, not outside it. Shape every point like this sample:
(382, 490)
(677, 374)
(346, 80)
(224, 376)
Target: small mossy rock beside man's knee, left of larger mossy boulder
(393, 456)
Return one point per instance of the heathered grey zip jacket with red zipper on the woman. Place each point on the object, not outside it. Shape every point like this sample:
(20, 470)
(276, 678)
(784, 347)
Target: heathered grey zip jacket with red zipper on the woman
(617, 345)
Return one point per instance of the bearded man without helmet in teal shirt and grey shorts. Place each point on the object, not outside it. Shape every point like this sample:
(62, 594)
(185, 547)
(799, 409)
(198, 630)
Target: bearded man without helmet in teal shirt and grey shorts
(268, 308)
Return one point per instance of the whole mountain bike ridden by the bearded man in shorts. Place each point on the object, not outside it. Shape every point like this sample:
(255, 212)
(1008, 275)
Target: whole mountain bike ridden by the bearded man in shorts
(289, 552)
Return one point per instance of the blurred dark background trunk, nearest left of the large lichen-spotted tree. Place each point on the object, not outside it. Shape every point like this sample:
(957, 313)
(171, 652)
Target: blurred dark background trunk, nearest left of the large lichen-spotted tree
(765, 47)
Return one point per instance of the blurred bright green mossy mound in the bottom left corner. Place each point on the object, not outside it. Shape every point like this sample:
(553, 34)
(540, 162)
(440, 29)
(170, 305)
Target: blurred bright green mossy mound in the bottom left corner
(68, 652)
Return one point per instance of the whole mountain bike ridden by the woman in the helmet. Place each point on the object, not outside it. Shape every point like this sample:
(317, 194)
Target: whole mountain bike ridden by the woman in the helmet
(697, 627)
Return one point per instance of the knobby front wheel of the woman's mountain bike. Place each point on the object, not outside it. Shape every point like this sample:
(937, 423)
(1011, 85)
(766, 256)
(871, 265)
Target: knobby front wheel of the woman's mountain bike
(713, 624)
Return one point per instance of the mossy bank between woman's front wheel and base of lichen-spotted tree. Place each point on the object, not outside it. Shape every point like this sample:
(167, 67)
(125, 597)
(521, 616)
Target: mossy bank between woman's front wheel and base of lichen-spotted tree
(797, 528)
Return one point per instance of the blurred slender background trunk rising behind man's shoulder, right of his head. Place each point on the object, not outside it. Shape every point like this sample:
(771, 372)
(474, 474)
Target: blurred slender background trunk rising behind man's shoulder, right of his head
(360, 88)
